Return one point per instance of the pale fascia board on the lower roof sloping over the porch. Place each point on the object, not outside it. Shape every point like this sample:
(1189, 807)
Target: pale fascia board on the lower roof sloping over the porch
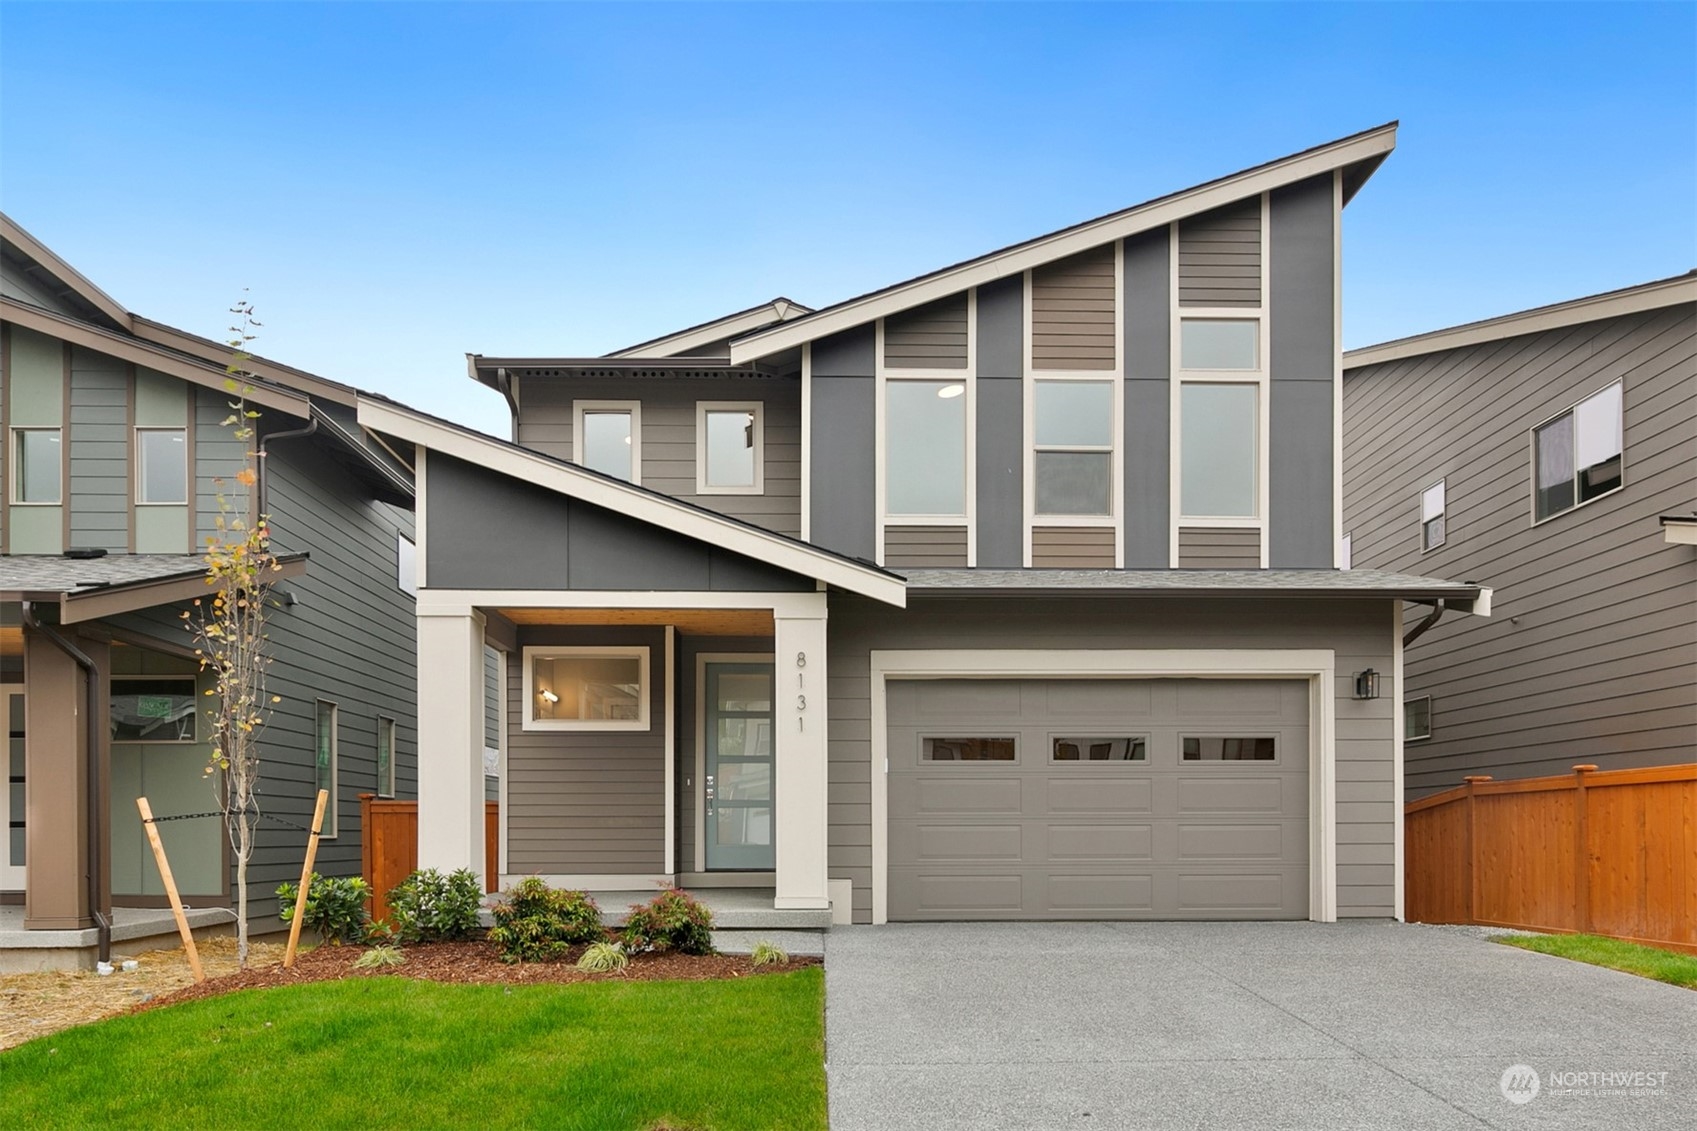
(546, 473)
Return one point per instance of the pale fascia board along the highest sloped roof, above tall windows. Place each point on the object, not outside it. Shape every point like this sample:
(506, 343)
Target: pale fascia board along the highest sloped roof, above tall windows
(1085, 237)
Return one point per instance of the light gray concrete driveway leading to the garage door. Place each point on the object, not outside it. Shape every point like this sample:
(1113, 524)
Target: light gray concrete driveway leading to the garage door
(1292, 1025)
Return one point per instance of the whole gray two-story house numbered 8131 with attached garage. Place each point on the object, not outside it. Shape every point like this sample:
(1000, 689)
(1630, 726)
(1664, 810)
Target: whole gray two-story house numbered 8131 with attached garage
(1009, 592)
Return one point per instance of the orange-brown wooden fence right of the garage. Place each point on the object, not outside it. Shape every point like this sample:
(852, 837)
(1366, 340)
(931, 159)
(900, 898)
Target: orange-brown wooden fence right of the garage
(1598, 853)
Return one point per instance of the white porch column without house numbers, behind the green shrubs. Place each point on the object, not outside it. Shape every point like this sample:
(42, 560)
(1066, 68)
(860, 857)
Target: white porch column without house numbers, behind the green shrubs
(452, 740)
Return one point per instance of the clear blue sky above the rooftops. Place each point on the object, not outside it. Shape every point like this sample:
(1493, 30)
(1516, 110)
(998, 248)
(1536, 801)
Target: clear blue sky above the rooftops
(400, 184)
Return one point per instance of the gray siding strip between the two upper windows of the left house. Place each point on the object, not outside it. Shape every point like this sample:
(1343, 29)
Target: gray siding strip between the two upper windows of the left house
(99, 436)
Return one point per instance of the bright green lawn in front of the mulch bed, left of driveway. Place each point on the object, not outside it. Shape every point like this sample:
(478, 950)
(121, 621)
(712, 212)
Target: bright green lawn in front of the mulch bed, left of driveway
(403, 1054)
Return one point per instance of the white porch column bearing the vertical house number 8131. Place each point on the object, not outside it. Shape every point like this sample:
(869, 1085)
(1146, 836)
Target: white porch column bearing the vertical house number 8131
(800, 726)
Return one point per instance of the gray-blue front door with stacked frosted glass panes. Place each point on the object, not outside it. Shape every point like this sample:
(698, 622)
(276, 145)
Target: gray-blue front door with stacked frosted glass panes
(737, 789)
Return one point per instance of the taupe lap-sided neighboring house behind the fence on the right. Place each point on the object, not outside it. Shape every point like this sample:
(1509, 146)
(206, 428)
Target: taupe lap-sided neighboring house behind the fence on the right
(1554, 456)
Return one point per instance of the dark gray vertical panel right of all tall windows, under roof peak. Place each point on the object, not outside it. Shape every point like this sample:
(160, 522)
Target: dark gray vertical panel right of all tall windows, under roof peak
(1301, 369)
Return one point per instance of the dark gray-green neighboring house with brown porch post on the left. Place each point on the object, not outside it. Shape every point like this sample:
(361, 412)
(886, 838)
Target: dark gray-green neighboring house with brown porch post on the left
(111, 471)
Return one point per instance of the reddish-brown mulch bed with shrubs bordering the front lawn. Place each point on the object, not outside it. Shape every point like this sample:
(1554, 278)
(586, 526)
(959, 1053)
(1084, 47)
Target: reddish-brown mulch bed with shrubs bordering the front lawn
(474, 964)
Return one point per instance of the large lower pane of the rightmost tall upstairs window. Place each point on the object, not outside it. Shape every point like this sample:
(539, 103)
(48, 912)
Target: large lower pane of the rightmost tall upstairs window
(1219, 451)
